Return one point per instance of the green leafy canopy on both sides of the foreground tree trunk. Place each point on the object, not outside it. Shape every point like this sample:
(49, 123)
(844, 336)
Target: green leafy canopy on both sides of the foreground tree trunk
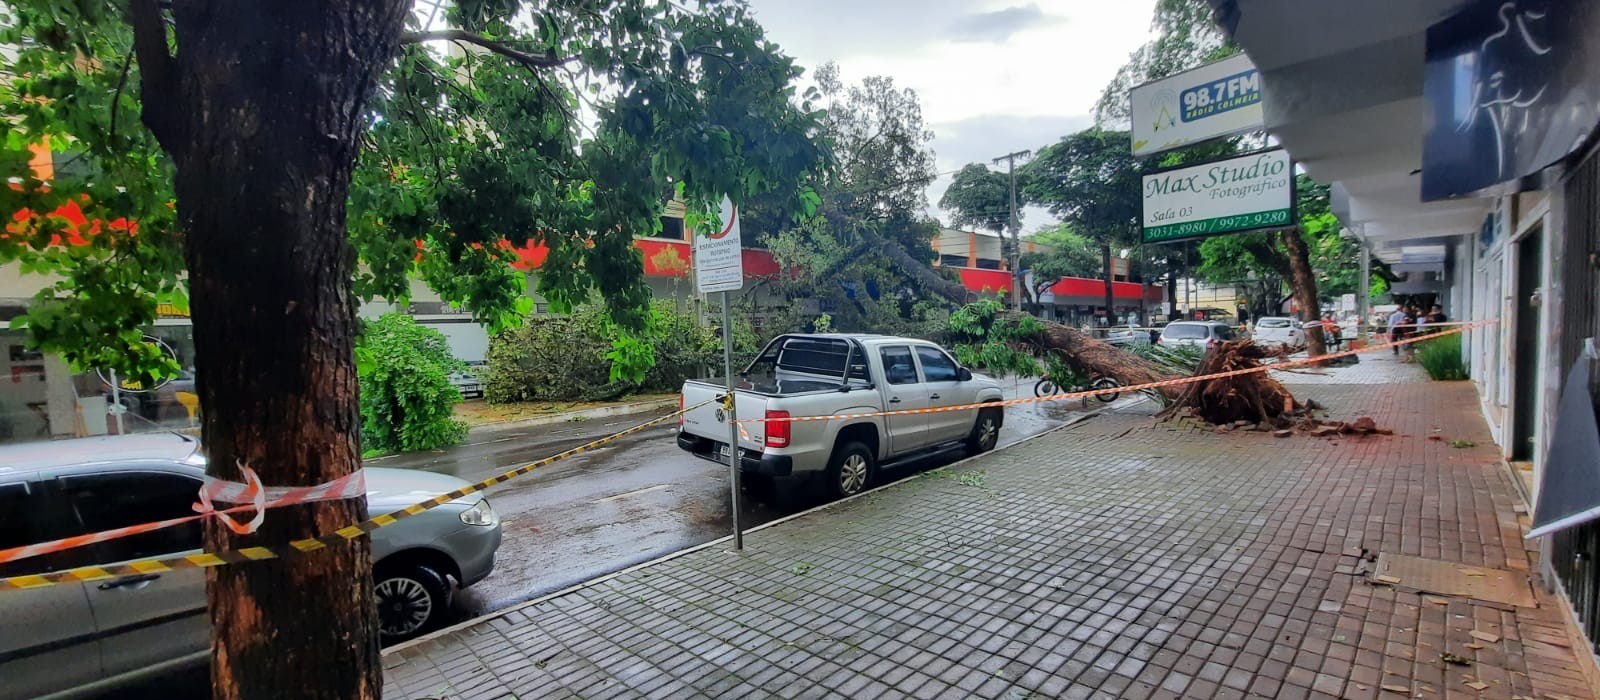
(569, 130)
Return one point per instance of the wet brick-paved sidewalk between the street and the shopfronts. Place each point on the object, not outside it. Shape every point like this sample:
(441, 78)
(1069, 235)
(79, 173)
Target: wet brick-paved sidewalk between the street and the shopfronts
(1118, 559)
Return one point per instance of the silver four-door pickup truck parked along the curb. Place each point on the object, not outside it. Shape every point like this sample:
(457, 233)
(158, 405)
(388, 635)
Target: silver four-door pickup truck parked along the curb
(841, 376)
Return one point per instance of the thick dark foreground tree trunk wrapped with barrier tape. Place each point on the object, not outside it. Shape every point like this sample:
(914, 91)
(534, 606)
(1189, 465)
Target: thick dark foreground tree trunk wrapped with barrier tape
(262, 108)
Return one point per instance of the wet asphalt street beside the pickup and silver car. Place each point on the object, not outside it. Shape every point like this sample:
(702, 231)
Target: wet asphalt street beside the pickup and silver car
(628, 503)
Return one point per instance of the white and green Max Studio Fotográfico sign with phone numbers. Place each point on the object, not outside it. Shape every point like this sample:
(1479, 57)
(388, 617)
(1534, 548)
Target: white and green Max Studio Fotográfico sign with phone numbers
(1247, 193)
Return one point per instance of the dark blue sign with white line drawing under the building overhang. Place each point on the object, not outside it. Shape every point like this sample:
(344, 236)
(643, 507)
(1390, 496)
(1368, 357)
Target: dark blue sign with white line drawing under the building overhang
(1513, 87)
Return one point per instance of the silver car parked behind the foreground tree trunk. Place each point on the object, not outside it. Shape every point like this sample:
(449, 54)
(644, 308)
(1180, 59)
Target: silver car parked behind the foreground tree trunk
(78, 638)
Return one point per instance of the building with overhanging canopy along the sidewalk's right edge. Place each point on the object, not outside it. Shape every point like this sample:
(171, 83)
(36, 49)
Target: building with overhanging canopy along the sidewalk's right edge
(1460, 143)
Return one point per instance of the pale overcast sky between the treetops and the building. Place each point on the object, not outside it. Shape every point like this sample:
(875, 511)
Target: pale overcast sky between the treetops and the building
(994, 78)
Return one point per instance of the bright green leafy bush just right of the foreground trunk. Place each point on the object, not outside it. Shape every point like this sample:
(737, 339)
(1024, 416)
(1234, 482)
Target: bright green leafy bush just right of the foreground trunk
(407, 396)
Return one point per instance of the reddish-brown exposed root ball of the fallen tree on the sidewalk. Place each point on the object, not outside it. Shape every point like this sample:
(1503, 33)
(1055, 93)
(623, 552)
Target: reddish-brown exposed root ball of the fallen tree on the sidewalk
(1255, 399)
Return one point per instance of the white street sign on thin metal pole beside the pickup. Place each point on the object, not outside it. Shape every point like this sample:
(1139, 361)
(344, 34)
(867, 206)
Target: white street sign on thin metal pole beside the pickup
(719, 268)
